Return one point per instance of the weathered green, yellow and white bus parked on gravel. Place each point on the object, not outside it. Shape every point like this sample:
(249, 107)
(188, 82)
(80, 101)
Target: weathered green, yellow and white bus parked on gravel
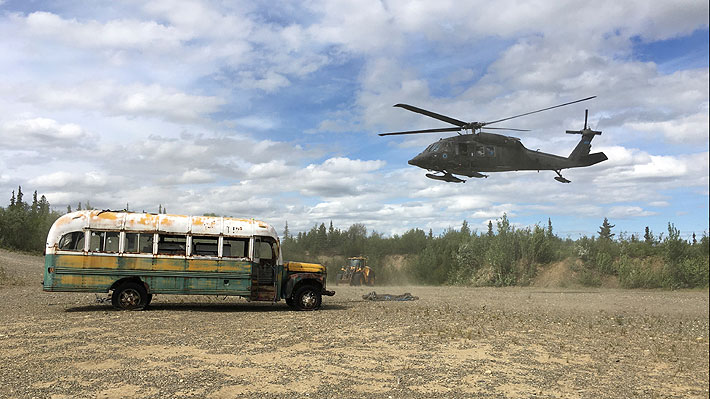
(136, 255)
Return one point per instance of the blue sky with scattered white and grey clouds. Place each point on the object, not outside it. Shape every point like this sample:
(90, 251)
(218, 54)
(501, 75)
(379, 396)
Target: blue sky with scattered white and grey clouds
(272, 109)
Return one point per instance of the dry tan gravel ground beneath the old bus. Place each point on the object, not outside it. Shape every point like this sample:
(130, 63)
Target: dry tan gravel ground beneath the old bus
(452, 342)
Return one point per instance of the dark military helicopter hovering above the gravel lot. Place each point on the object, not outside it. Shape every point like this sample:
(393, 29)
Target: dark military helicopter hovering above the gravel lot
(478, 151)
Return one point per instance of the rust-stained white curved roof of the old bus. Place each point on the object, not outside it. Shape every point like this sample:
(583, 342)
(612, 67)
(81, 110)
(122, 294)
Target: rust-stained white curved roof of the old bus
(160, 223)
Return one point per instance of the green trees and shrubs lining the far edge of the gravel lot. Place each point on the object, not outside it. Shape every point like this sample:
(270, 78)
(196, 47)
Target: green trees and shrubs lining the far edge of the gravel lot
(501, 256)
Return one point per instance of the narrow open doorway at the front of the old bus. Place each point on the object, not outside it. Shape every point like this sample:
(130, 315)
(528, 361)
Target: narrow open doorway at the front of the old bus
(263, 271)
